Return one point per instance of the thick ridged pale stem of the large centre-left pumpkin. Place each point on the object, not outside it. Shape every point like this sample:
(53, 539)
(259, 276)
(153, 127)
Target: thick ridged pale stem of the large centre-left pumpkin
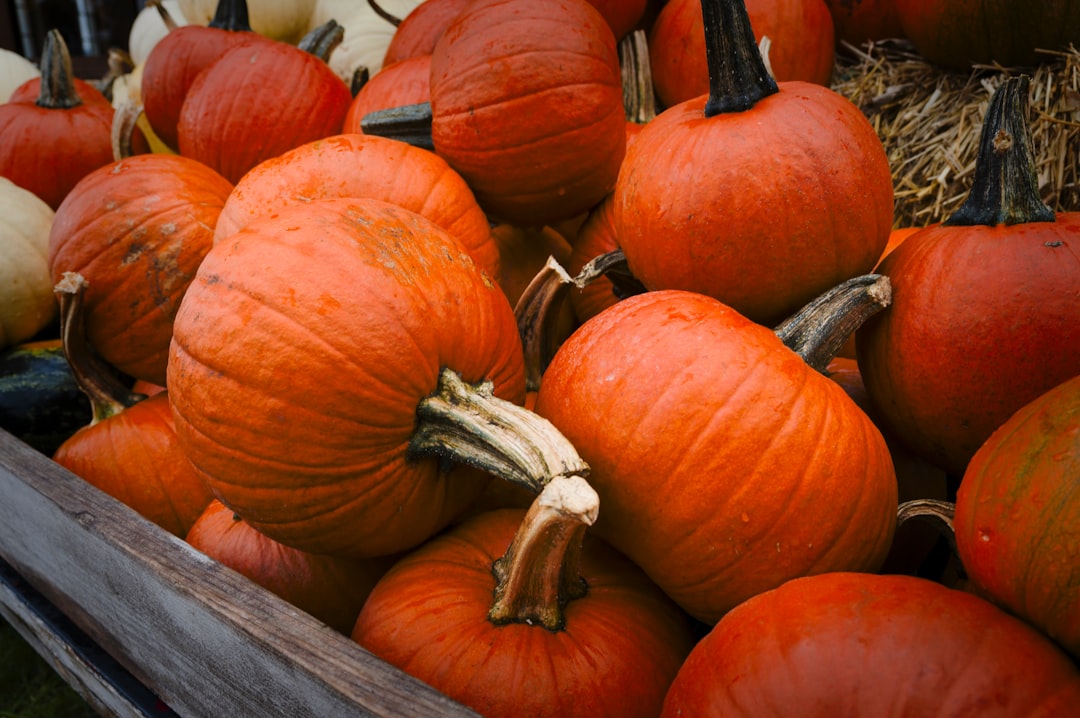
(468, 424)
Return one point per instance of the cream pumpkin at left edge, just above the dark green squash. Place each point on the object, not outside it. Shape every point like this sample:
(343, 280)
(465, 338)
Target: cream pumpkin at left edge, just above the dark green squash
(28, 304)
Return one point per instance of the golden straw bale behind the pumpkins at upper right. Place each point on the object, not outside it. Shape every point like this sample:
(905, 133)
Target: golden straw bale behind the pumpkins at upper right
(929, 121)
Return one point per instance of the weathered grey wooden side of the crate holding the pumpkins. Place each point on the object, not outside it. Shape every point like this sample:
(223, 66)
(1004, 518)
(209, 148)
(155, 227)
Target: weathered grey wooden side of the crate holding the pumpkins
(190, 633)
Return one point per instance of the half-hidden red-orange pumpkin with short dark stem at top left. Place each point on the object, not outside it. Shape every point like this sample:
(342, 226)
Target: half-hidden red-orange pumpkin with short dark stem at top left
(179, 58)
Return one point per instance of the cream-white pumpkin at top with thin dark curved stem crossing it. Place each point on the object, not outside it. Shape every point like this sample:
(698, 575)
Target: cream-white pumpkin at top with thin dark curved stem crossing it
(367, 34)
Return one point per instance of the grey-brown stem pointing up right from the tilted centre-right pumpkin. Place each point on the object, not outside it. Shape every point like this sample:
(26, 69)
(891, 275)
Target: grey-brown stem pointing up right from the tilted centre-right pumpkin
(819, 330)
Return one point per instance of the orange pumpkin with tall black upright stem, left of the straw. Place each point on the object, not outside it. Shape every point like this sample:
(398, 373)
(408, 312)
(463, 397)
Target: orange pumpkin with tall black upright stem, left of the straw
(739, 195)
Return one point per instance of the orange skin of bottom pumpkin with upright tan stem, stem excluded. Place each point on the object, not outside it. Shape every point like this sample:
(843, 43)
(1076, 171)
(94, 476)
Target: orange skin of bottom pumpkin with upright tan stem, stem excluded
(622, 647)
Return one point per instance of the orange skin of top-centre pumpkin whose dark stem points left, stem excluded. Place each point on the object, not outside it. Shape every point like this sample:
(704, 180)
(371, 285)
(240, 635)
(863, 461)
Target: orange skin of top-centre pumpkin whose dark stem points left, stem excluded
(526, 100)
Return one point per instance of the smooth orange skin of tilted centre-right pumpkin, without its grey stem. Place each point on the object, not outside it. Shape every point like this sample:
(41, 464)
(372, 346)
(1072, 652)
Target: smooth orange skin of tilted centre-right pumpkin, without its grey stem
(725, 465)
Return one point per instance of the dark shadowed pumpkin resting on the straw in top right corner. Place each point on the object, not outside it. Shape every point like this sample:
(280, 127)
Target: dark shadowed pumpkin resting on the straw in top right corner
(1011, 33)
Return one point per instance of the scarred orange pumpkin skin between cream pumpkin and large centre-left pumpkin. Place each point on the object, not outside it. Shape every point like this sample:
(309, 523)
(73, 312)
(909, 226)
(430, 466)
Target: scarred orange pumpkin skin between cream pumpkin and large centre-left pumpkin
(137, 231)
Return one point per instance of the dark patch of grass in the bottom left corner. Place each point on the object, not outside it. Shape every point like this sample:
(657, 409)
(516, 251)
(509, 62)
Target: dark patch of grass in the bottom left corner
(30, 687)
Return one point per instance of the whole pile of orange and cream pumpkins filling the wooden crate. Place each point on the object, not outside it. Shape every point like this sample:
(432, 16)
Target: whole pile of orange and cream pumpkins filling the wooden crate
(375, 368)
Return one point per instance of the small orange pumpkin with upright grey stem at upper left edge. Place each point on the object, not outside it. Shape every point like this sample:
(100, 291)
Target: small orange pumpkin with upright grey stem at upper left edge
(55, 142)
